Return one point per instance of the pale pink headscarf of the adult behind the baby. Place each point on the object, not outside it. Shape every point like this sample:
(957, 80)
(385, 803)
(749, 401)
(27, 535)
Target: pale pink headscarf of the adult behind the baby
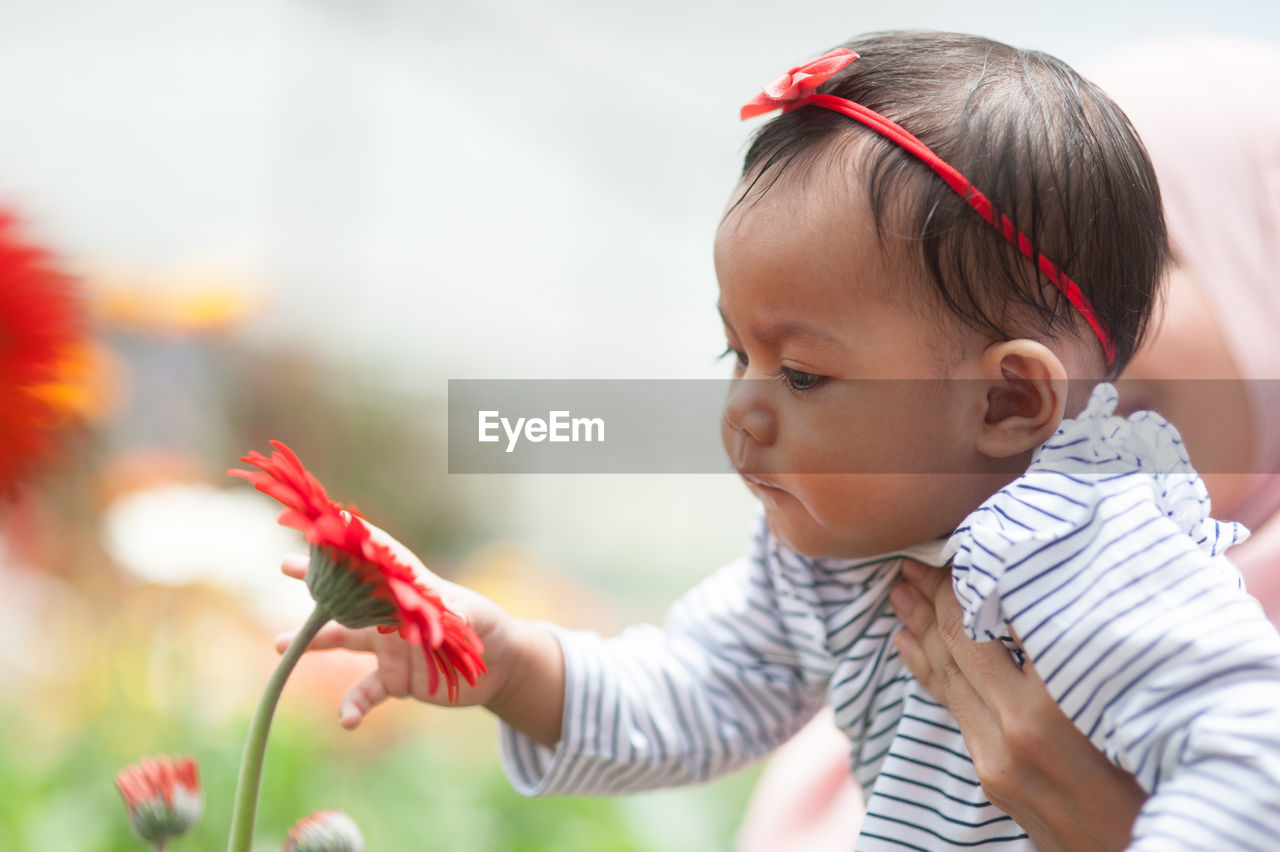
(1209, 112)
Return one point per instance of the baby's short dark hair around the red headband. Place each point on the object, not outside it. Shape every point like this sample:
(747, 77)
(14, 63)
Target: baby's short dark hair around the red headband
(1045, 145)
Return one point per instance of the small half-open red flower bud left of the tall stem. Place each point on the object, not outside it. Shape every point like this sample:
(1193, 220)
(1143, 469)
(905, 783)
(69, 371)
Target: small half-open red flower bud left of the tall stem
(163, 796)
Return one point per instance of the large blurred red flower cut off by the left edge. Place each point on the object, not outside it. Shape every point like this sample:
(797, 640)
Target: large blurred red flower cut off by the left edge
(42, 328)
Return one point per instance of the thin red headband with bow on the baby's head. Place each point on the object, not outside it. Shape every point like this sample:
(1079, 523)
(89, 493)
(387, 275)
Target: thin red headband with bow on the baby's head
(797, 89)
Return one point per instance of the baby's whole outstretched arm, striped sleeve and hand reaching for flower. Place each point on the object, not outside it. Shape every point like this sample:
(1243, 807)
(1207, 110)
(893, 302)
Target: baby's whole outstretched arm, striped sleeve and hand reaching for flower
(721, 686)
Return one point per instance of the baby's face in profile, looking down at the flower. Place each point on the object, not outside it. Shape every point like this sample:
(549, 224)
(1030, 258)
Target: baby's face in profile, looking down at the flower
(812, 312)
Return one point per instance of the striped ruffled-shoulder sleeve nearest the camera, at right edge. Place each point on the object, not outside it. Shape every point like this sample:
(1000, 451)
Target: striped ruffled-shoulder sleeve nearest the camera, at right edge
(1104, 561)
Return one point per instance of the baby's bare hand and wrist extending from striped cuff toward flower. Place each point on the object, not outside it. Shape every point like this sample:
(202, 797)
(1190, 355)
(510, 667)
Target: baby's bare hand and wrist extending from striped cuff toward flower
(524, 685)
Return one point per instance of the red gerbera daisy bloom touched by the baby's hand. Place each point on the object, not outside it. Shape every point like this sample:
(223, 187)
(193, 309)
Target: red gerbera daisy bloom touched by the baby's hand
(360, 581)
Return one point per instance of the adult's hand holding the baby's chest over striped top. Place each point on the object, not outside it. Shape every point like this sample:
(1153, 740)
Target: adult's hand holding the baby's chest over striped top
(1032, 762)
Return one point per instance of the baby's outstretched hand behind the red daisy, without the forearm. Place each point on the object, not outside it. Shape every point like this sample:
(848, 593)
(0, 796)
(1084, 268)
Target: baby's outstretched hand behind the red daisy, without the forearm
(403, 667)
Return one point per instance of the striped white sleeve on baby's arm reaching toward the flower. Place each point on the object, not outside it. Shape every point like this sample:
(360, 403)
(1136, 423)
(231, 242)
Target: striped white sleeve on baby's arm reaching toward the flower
(726, 681)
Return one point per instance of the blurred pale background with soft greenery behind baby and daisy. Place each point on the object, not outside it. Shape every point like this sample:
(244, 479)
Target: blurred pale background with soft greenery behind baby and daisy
(299, 219)
